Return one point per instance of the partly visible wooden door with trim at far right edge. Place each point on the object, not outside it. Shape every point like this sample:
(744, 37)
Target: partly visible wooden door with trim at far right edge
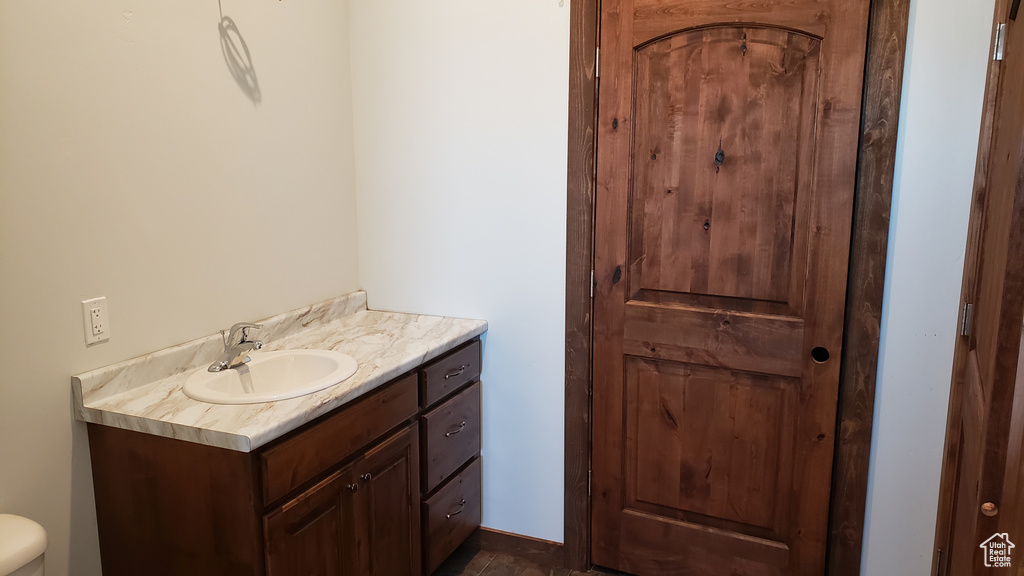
(982, 487)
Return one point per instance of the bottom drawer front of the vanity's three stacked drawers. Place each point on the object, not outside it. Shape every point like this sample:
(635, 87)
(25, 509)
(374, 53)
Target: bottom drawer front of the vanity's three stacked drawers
(452, 515)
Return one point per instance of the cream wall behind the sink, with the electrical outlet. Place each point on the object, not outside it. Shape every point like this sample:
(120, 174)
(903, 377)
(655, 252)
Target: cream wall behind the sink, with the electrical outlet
(133, 167)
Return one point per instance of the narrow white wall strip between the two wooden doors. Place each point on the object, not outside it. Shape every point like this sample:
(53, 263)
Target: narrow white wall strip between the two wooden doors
(945, 80)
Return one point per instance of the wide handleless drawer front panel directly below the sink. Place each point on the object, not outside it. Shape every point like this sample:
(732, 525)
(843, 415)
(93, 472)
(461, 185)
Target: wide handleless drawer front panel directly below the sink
(307, 456)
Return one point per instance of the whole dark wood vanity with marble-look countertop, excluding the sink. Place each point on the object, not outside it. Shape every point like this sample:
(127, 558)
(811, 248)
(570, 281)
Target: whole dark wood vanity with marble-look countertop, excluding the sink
(379, 476)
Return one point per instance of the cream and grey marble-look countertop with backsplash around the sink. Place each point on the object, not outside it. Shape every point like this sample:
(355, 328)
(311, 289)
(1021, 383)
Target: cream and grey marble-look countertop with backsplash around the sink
(146, 394)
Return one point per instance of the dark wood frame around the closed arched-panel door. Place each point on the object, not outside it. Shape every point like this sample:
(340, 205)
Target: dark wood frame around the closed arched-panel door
(876, 163)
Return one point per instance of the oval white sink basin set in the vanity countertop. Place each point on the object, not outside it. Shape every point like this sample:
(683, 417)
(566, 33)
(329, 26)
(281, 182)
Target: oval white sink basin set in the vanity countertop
(272, 376)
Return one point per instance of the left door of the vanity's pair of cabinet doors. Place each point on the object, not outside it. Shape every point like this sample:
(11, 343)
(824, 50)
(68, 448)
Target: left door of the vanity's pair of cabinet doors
(308, 536)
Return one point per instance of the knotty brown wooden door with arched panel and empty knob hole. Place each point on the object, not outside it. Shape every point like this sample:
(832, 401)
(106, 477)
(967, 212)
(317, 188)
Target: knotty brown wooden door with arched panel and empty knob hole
(728, 142)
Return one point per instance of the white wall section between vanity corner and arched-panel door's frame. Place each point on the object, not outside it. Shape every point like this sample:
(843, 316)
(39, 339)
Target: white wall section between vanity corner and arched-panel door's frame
(461, 119)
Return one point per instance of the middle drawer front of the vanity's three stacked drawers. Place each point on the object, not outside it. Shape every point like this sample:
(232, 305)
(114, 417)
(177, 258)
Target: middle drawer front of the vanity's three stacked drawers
(452, 434)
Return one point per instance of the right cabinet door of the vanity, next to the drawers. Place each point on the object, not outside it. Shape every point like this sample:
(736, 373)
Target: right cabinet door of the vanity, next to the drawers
(388, 514)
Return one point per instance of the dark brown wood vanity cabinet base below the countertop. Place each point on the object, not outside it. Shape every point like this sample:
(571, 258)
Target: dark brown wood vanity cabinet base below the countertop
(388, 485)
